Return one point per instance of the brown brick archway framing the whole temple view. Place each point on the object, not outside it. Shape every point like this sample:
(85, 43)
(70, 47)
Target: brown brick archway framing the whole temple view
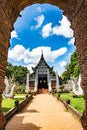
(75, 10)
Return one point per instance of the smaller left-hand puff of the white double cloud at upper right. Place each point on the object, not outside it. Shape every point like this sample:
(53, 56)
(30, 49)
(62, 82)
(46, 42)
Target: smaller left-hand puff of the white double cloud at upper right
(47, 30)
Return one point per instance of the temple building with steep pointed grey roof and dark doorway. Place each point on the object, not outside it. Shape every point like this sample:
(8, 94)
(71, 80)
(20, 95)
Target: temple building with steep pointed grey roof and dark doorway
(43, 78)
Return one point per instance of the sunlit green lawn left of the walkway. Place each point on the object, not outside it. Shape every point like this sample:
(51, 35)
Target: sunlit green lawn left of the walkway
(7, 103)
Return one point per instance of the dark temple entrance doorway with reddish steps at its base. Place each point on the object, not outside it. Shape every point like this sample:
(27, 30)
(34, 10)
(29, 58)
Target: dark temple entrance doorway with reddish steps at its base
(42, 84)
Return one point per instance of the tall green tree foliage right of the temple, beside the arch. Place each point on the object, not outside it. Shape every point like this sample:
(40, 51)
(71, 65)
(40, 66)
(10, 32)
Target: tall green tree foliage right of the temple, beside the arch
(72, 69)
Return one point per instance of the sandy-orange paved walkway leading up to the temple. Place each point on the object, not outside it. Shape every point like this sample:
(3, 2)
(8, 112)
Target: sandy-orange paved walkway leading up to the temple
(44, 113)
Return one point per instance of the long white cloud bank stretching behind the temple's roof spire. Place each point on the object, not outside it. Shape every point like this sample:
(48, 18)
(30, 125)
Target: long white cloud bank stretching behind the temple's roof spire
(19, 53)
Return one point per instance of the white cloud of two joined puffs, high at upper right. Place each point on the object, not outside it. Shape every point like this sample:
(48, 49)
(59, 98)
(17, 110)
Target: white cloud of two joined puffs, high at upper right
(64, 29)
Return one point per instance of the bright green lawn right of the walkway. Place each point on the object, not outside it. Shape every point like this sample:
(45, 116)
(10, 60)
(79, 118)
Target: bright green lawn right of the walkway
(78, 103)
